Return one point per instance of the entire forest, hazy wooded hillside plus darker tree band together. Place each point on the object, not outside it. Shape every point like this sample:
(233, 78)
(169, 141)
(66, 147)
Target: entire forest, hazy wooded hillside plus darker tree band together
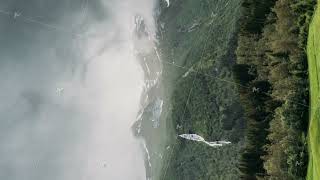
(244, 79)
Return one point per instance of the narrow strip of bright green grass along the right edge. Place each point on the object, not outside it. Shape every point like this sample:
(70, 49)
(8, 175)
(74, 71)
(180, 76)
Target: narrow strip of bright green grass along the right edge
(314, 67)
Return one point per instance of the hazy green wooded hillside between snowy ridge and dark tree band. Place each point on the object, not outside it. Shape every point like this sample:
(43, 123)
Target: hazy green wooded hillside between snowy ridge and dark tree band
(197, 42)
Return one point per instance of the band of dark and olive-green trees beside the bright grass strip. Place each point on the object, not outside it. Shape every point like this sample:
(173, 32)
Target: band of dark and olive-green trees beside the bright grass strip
(272, 77)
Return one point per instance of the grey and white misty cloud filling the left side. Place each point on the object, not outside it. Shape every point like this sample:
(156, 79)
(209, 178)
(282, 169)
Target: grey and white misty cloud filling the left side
(70, 87)
